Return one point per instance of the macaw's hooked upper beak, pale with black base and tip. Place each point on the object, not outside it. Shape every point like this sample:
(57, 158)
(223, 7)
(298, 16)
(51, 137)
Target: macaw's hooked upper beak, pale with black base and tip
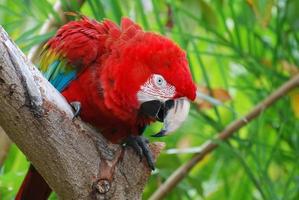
(174, 114)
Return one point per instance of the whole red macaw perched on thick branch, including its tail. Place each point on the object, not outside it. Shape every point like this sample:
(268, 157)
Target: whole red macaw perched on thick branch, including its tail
(119, 79)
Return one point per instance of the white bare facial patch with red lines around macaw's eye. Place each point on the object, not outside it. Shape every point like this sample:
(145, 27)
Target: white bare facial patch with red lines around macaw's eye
(156, 88)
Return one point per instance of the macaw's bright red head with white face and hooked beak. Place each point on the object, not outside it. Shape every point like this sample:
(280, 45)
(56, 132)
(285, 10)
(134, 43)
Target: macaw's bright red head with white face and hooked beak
(148, 74)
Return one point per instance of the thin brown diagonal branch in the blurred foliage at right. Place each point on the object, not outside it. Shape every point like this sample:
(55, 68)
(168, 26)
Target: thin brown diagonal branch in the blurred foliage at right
(209, 146)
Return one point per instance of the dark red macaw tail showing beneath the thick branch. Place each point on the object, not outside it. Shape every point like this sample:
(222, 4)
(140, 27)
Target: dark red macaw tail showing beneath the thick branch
(34, 187)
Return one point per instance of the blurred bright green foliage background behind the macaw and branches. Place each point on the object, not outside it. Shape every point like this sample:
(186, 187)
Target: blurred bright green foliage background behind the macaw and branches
(238, 50)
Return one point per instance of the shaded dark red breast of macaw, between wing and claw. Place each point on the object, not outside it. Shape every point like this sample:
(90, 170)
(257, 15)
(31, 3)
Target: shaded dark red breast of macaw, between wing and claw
(89, 93)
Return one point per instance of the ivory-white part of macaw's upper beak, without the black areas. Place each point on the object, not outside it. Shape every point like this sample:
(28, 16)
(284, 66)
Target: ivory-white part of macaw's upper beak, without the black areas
(176, 115)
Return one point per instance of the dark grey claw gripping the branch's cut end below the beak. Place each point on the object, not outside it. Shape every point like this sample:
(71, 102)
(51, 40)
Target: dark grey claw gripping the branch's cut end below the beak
(140, 145)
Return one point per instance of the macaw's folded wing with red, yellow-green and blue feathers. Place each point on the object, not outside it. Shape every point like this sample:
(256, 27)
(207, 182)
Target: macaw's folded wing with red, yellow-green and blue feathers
(76, 46)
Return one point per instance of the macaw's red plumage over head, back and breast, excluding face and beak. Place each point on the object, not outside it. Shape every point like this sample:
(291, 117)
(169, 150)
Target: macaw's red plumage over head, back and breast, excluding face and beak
(118, 60)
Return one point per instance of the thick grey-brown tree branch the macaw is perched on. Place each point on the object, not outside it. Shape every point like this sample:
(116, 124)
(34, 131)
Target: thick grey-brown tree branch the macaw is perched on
(74, 159)
